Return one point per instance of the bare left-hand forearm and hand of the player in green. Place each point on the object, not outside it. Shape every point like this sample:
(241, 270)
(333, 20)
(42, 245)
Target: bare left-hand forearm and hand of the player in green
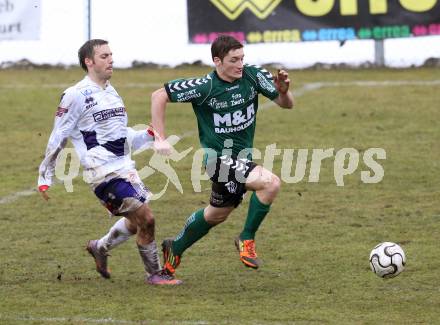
(159, 100)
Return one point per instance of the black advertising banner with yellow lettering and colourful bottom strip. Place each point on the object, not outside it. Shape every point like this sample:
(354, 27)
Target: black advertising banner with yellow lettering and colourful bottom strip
(270, 21)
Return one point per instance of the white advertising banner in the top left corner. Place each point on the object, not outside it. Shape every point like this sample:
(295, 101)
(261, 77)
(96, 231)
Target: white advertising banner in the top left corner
(20, 19)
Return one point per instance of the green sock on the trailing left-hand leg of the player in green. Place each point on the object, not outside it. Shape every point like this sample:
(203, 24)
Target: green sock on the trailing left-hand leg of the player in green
(195, 228)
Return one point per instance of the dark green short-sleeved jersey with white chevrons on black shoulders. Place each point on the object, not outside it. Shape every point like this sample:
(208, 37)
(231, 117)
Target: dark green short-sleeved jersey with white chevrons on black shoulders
(225, 111)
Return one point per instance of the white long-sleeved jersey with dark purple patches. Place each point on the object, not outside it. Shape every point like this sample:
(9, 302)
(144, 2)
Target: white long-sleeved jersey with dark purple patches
(95, 120)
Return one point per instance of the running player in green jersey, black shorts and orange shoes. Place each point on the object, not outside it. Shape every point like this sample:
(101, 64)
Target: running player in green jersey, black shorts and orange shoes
(225, 103)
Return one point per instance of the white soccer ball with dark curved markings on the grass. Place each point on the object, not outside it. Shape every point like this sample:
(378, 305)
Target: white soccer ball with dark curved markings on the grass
(387, 260)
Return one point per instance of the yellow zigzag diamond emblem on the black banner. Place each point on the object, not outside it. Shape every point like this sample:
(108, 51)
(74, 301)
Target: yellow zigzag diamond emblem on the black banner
(233, 8)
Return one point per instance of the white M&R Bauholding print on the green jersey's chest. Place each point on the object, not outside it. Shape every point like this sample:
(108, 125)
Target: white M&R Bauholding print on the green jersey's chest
(235, 121)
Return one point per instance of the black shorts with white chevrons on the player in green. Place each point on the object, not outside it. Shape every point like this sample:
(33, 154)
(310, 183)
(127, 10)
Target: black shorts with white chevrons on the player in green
(228, 176)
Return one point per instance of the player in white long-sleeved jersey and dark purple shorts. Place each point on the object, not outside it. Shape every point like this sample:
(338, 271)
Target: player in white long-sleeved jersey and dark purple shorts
(92, 115)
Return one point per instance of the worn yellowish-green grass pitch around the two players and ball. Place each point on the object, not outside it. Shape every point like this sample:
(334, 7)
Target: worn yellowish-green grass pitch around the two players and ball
(314, 243)
